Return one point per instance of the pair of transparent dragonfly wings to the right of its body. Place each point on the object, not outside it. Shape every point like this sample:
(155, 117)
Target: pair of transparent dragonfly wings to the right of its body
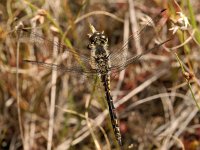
(120, 58)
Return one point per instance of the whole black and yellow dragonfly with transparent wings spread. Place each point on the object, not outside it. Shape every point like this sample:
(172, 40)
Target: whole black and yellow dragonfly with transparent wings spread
(101, 61)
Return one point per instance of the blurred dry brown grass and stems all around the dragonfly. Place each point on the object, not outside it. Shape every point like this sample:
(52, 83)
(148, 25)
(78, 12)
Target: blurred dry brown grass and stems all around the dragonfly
(156, 98)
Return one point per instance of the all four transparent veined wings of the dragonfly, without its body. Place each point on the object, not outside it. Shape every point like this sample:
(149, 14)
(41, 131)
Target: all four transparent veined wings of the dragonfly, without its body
(81, 60)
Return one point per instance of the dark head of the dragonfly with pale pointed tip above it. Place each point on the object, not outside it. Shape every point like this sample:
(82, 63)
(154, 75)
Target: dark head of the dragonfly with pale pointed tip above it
(97, 39)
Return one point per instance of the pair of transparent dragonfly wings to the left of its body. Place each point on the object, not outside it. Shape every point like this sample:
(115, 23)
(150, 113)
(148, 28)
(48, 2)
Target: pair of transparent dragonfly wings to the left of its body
(70, 59)
